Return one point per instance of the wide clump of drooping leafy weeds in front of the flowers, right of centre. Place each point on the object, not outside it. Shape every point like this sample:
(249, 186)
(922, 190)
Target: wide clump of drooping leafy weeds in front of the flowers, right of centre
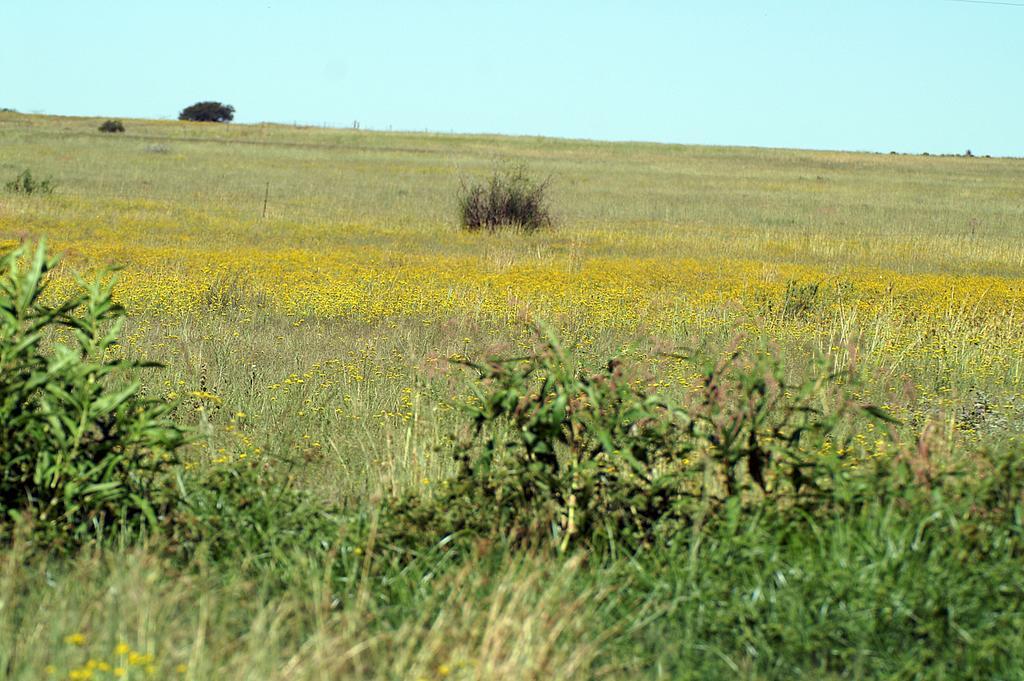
(574, 456)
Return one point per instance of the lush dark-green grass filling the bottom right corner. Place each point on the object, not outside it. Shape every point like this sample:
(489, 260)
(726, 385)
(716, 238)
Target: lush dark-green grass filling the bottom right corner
(894, 591)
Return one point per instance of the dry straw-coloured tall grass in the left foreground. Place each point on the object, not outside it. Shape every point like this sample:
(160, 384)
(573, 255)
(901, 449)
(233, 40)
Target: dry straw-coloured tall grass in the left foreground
(511, 619)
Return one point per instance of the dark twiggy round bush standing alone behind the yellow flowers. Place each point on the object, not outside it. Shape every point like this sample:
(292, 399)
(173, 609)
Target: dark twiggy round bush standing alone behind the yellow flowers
(509, 199)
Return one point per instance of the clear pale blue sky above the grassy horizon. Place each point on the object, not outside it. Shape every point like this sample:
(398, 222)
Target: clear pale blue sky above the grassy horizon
(878, 75)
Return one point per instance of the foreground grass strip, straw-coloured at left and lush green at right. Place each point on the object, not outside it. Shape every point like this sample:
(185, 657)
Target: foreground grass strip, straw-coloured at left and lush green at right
(882, 594)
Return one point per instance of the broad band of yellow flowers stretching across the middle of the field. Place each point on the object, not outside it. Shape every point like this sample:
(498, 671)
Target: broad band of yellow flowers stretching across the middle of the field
(938, 323)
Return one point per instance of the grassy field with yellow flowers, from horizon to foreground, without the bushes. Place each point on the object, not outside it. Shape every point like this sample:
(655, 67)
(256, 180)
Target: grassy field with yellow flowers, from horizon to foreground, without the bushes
(317, 340)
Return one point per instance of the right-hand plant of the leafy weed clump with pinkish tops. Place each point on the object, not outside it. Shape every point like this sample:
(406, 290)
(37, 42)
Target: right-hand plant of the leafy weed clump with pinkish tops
(765, 437)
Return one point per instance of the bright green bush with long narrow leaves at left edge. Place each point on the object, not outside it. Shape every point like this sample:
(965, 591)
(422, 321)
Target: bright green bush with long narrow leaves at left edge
(81, 449)
